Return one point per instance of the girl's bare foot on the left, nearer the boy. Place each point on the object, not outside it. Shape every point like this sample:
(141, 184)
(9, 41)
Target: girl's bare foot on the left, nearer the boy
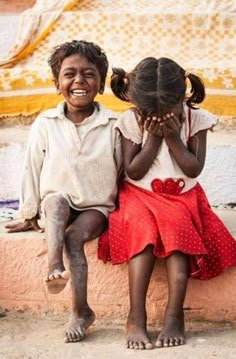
(136, 334)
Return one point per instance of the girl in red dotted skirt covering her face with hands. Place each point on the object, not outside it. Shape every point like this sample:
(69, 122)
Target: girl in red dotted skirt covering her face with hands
(163, 211)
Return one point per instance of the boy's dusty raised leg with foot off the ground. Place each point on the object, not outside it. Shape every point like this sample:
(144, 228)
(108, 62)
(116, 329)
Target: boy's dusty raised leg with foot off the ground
(57, 212)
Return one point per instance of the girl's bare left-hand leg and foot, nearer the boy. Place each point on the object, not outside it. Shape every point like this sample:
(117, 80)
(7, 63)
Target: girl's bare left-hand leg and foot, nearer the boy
(140, 270)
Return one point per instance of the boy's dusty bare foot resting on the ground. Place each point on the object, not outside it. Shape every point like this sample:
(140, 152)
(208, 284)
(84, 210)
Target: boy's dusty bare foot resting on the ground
(75, 330)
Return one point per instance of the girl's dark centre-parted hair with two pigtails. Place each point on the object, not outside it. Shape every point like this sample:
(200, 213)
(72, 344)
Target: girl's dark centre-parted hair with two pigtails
(156, 85)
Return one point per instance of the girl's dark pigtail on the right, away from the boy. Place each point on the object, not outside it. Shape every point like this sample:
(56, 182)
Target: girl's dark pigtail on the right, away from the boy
(197, 90)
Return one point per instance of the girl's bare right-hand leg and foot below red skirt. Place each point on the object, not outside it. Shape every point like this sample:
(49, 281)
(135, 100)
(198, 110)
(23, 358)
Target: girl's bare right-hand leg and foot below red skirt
(172, 334)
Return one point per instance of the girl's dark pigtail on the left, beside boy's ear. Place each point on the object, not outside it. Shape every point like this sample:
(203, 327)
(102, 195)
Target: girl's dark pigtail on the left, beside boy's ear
(120, 84)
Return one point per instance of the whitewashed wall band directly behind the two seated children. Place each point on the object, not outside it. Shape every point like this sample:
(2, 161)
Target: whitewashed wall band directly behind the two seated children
(218, 177)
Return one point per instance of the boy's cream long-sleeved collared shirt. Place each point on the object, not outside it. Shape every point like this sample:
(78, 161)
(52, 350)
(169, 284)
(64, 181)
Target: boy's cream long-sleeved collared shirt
(82, 168)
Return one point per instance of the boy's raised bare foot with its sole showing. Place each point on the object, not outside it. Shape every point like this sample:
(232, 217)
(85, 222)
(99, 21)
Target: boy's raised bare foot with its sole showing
(56, 281)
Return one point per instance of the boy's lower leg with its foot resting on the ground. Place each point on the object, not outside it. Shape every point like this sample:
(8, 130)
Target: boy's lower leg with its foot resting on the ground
(87, 226)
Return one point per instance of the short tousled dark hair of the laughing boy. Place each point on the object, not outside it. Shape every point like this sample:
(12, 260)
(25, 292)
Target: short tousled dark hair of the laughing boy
(90, 50)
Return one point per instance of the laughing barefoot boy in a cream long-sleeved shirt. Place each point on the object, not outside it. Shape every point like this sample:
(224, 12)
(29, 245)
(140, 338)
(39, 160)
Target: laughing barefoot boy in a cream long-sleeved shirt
(67, 146)
